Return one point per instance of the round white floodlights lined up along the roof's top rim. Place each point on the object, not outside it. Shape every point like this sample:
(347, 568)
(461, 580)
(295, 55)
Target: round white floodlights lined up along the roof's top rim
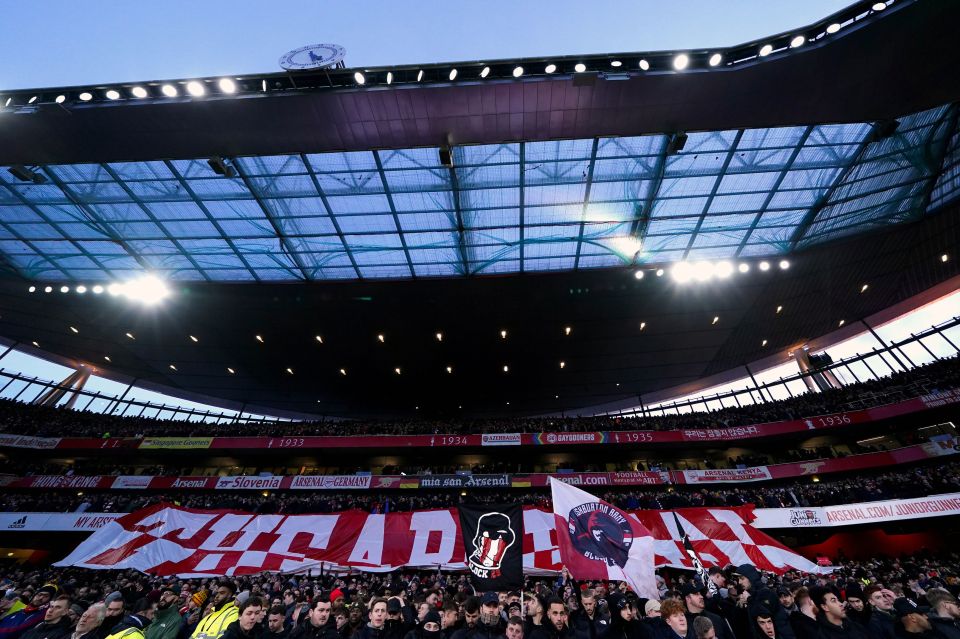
(229, 86)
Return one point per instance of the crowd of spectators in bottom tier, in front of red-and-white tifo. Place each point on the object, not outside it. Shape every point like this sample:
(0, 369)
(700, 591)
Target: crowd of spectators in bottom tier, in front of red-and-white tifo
(883, 598)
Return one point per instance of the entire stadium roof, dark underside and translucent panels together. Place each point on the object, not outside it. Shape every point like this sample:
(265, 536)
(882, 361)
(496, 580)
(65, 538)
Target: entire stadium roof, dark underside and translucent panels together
(554, 176)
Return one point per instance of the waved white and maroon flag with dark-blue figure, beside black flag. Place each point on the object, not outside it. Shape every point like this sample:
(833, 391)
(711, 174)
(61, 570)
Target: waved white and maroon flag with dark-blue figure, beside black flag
(600, 541)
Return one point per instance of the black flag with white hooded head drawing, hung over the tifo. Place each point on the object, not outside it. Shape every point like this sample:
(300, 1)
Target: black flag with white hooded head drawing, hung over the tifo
(493, 546)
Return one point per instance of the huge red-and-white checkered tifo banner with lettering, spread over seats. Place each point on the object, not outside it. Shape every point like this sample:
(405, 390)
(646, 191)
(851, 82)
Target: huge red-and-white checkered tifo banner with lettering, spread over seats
(166, 540)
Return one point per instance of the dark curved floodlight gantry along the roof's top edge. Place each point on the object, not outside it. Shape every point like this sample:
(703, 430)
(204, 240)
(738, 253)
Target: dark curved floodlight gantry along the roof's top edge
(622, 64)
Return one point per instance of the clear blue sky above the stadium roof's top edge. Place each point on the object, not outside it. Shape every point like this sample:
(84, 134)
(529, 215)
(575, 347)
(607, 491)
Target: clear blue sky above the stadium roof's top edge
(62, 43)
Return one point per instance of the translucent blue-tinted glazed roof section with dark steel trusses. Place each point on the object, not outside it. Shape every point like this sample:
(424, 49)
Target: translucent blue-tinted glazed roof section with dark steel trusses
(502, 208)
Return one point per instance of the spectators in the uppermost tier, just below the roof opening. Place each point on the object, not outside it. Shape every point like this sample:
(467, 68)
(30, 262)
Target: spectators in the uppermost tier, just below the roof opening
(18, 418)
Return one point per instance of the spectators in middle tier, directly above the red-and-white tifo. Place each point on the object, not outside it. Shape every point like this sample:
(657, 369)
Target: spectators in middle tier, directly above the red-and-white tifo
(898, 484)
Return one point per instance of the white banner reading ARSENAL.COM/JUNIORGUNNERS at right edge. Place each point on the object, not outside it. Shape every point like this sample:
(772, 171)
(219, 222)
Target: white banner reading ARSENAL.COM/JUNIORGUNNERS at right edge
(863, 513)
